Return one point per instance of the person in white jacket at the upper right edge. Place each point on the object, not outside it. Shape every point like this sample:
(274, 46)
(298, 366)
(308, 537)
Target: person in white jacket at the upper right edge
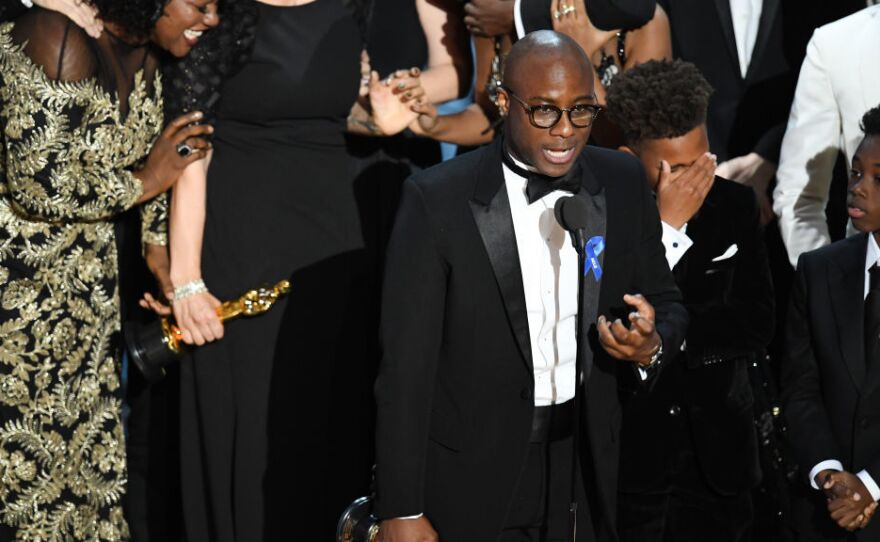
(839, 81)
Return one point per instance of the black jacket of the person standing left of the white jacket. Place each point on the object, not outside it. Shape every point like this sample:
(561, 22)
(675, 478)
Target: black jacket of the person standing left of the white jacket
(745, 114)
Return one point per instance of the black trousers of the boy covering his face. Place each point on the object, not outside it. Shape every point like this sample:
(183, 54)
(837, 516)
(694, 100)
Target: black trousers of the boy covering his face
(685, 511)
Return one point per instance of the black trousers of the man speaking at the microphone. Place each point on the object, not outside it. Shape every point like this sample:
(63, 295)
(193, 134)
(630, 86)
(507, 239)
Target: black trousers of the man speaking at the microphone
(539, 509)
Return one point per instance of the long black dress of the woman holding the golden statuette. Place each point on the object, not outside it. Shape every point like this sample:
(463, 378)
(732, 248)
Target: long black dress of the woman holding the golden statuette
(260, 461)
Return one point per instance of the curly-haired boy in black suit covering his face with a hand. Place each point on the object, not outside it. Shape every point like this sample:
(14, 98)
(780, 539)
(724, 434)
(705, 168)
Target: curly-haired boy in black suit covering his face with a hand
(697, 420)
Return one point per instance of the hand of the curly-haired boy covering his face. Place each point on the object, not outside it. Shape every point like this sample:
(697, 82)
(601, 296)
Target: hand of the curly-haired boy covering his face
(680, 195)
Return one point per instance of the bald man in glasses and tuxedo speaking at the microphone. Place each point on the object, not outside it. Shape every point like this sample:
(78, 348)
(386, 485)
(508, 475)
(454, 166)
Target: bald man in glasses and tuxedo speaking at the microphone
(476, 394)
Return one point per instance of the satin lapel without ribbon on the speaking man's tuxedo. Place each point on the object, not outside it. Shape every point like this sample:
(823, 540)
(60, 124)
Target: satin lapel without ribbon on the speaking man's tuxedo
(491, 210)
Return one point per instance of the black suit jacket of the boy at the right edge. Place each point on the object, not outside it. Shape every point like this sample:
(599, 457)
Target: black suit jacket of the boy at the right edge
(831, 396)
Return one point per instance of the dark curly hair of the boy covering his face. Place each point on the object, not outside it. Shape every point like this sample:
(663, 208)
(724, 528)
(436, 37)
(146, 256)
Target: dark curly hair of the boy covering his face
(658, 100)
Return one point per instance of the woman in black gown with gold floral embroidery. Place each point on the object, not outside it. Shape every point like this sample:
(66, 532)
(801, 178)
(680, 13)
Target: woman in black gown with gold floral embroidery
(81, 121)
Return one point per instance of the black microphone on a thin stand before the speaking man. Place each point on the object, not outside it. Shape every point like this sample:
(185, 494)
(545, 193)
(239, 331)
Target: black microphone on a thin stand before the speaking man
(578, 239)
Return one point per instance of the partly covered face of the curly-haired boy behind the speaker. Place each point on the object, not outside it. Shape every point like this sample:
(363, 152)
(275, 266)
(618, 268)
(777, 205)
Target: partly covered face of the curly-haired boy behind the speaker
(681, 153)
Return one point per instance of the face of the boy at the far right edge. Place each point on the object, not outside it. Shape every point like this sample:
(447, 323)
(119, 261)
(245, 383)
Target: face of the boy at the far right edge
(863, 200)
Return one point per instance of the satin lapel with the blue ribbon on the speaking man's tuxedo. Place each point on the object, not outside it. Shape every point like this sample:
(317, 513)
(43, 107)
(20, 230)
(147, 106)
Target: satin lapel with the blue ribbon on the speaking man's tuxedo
(594, 195)
